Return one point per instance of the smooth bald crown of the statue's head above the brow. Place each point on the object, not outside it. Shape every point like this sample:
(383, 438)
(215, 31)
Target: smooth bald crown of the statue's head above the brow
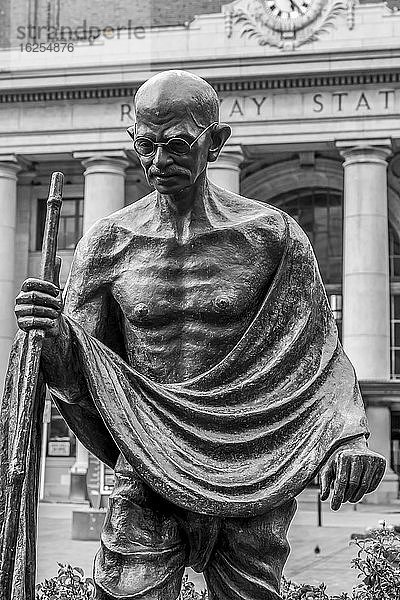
(178, 93)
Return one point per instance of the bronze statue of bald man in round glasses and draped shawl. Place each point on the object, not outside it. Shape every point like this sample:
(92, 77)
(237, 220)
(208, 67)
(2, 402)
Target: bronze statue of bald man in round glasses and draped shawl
(196, 354)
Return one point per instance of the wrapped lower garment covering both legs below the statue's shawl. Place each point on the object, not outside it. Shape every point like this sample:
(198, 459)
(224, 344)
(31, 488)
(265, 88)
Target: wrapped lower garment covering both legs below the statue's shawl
(147, 542)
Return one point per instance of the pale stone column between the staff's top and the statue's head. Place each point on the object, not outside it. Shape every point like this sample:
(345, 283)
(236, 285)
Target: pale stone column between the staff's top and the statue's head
(104, 194)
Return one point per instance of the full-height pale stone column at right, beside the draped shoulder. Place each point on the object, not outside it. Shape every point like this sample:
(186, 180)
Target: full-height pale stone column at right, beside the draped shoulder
(366, 286)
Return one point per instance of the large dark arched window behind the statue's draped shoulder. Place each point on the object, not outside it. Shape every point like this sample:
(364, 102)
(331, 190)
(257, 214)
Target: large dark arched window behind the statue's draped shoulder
(319, 212)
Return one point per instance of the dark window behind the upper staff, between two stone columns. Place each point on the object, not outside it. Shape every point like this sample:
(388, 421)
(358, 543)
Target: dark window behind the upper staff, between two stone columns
(71, 223)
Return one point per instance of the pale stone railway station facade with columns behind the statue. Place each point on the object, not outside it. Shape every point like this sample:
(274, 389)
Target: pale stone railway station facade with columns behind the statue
(311, 90)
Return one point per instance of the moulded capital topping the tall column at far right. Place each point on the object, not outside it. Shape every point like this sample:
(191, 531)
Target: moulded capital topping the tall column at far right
(375, 150)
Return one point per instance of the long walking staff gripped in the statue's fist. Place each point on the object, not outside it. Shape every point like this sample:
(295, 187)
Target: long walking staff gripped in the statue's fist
(22, 481)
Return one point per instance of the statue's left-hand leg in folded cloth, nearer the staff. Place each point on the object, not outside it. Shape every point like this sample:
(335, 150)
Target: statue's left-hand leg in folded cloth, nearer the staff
(142, 553)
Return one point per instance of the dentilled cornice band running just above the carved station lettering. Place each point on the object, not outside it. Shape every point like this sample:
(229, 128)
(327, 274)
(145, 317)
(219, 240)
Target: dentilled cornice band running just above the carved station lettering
(253, 85)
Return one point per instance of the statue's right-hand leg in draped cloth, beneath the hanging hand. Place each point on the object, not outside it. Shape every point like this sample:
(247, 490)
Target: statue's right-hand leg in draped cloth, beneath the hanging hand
(249, 556)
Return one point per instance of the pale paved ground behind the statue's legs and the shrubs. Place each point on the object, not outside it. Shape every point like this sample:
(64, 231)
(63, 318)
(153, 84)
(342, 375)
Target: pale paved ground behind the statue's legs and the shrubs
(331, 565)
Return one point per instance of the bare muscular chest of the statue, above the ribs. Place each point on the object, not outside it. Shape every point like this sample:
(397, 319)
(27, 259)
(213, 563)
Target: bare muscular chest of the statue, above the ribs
(164, 283)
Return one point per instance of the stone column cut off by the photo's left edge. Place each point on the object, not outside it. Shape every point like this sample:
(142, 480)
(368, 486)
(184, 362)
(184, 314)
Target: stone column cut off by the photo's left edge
(9, 168)
